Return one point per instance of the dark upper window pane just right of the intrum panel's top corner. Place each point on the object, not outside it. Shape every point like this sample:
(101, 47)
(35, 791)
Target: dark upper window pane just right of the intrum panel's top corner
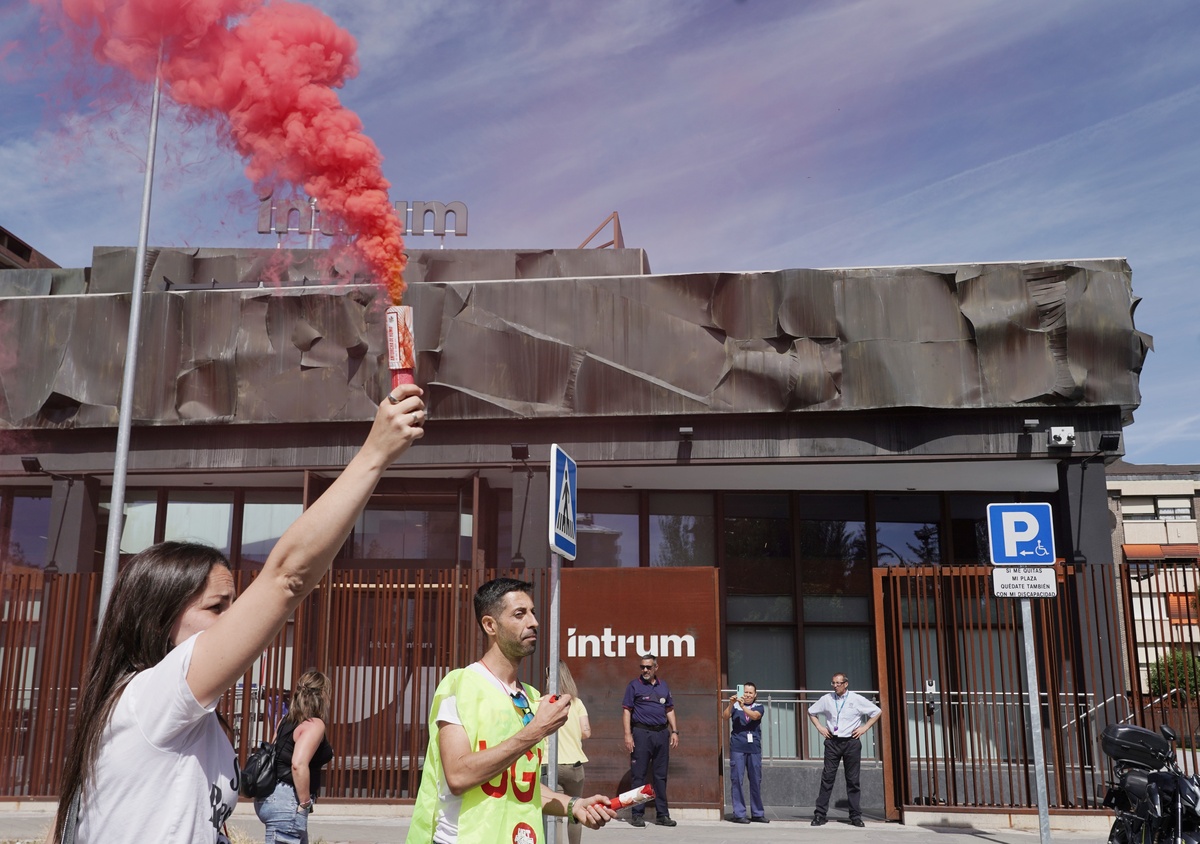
(760, 576)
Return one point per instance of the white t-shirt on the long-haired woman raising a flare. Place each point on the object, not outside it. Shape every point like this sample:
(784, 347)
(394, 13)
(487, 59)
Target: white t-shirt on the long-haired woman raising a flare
(166, 771)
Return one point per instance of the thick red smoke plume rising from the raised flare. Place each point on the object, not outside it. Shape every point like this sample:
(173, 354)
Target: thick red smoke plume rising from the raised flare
(269, 73)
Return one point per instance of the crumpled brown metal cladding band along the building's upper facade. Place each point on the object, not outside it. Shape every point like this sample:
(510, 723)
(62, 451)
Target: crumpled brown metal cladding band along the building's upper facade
(971, 337)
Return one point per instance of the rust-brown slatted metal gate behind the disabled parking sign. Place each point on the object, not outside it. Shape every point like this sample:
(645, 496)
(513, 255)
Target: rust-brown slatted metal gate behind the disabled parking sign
(952, 673)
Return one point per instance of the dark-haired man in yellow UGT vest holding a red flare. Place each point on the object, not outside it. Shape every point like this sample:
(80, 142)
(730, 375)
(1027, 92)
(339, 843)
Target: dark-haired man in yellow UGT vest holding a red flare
(482, 780)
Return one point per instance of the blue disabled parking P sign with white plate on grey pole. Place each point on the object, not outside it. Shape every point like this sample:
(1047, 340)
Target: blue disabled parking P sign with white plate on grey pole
(1021, 538)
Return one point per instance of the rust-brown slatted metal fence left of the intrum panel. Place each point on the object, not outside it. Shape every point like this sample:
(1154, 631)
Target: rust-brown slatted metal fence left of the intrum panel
(387, 636)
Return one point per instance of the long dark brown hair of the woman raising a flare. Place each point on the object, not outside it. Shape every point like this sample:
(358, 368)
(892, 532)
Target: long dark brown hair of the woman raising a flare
(152, 592)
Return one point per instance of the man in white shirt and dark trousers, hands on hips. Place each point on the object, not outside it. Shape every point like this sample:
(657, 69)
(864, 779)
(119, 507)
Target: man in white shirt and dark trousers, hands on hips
(849, 716)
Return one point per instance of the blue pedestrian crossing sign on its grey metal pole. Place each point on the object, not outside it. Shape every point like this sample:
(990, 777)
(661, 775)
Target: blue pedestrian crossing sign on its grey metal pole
(563, 512)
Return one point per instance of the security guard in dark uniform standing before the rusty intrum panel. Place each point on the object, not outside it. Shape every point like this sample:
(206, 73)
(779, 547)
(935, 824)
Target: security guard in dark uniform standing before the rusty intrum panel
(651, 733)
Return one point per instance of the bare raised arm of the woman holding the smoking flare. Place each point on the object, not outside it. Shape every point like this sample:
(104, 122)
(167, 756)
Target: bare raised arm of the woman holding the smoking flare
(304, 554)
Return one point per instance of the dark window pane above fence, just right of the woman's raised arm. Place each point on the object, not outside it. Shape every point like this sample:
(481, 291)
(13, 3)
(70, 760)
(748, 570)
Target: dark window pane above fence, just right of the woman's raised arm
(428, 537)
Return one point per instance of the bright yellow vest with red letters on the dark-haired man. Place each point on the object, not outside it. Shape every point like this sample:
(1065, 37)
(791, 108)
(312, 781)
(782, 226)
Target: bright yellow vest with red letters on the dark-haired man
(505, 811)
